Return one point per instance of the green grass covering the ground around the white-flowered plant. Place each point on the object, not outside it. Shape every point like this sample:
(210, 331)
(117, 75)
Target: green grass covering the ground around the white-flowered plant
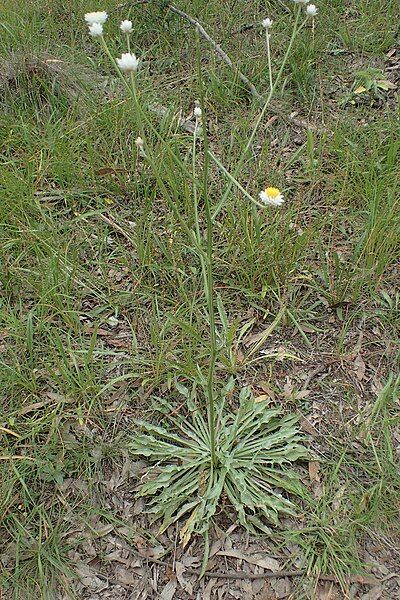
(102, 307)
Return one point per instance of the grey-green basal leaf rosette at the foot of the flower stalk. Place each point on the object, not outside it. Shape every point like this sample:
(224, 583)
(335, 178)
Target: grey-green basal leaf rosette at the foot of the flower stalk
(254, 446)
